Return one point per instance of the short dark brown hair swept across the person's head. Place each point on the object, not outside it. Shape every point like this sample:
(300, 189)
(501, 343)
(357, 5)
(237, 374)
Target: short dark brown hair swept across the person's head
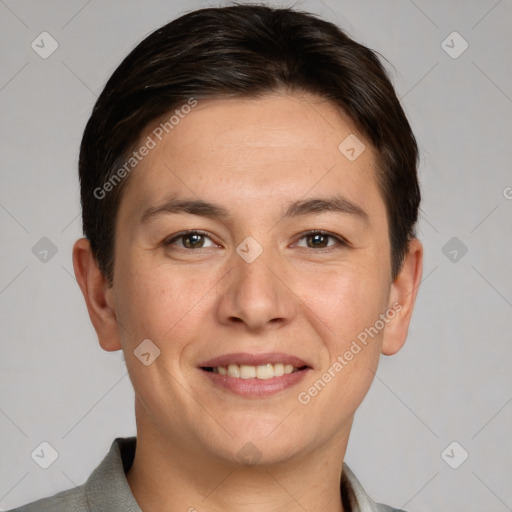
(244, 51)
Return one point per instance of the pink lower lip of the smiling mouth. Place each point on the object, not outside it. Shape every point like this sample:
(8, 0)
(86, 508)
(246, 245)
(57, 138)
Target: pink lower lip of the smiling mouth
(255, 388)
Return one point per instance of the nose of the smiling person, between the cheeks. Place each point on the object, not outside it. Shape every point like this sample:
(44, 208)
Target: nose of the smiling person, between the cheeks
(257, 295)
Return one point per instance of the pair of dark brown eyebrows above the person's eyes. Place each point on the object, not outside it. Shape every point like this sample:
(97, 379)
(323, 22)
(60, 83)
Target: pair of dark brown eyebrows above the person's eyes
(336, 204)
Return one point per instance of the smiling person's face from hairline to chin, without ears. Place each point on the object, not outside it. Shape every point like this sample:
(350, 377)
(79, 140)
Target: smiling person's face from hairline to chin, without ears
(287, 264)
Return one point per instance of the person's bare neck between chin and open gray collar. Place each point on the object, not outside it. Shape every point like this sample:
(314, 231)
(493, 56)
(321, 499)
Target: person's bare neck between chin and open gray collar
(177, 477)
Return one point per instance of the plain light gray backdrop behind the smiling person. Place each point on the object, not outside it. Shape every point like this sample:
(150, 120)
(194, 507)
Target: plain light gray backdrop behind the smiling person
(451, 382)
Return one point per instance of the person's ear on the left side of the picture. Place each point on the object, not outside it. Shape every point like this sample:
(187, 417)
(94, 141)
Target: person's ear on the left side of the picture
(98, 296)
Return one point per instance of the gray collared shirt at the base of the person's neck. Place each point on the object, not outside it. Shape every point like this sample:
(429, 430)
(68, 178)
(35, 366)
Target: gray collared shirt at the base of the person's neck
(107, 490)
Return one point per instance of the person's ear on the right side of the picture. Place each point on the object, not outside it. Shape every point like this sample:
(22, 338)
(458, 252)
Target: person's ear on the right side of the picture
(402, 298)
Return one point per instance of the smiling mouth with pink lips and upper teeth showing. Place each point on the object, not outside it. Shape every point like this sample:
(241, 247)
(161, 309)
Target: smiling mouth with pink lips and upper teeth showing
(255, 376)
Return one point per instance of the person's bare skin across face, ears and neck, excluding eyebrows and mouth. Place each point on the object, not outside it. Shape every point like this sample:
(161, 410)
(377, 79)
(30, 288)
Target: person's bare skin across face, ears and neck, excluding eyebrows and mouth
(253, 157)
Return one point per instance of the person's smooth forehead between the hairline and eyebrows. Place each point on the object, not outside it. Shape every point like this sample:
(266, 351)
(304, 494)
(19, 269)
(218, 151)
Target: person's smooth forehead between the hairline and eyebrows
(253, 151)
